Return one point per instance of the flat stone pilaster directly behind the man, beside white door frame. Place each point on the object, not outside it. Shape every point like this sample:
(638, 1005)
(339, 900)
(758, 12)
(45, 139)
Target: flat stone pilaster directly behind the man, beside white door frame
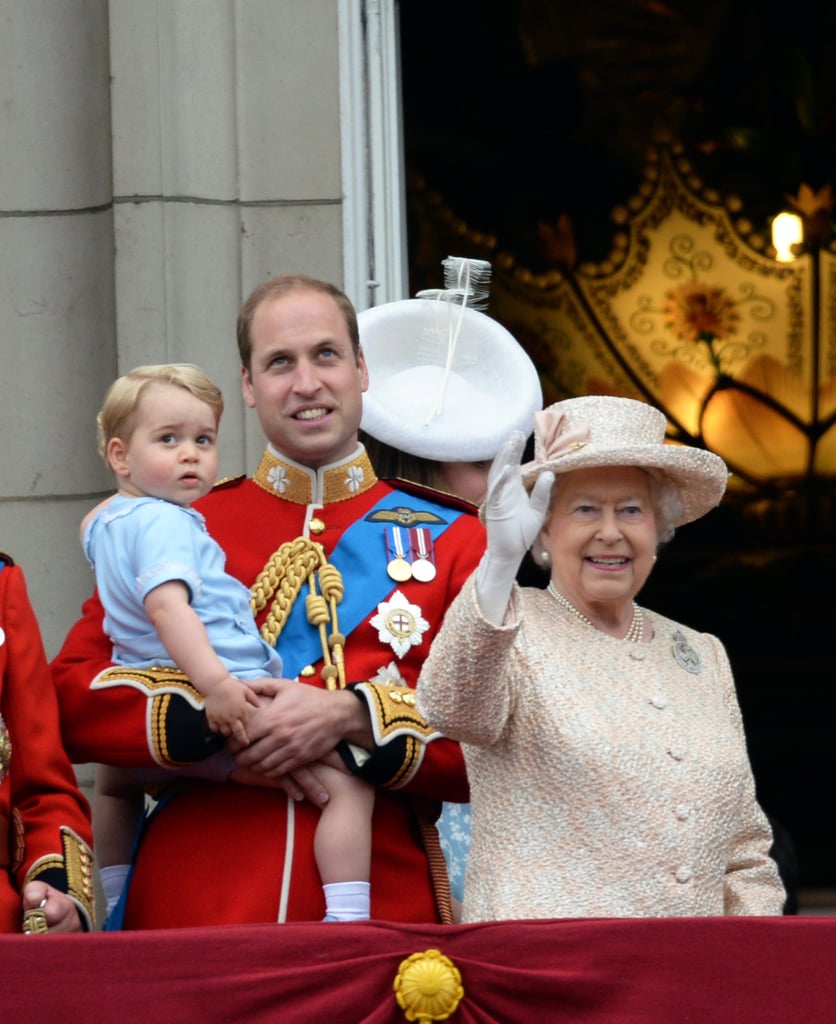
(227, 170)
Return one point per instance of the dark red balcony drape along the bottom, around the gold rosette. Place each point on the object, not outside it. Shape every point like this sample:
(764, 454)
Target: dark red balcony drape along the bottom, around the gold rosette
(672, 971)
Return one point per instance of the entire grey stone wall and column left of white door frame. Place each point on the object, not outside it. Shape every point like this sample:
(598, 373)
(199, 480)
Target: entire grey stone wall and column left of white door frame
(157, 161)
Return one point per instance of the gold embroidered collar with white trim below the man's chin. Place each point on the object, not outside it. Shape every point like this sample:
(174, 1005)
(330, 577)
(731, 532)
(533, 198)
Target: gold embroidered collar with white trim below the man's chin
(303, 486)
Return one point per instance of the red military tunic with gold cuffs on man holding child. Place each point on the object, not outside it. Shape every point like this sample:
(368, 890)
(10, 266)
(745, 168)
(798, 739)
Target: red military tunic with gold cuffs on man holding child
(219, 854)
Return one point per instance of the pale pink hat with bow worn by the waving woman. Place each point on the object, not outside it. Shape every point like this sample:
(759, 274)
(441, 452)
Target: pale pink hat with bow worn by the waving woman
(604, 431)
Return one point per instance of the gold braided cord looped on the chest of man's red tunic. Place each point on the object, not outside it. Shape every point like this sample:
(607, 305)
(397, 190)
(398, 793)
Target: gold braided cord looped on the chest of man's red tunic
(282, 580)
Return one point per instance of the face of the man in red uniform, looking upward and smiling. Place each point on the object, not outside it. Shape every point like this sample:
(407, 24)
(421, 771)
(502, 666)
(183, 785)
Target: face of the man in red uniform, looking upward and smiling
(305, 382)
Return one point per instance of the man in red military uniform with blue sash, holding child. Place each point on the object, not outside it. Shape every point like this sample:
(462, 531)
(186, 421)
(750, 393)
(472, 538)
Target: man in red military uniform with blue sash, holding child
(315, 523)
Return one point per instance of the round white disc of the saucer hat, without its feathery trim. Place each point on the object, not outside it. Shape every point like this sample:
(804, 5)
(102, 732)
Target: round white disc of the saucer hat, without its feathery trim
(446, 382)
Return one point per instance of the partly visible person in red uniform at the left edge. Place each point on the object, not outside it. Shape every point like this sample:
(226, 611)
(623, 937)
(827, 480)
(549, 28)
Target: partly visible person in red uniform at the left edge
(47, 864)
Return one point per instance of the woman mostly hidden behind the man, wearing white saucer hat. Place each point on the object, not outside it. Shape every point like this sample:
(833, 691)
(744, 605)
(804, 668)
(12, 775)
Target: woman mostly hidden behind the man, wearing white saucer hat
(447, 386)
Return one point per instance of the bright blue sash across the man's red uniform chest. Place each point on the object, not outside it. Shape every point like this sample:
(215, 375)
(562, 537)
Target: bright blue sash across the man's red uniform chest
(361, 558)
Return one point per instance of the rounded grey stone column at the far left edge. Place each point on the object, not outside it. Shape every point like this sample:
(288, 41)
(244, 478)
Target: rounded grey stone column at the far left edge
(57, 290)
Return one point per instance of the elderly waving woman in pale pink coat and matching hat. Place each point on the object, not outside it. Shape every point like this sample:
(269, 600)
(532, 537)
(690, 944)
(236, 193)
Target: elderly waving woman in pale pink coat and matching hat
(604, 743)
